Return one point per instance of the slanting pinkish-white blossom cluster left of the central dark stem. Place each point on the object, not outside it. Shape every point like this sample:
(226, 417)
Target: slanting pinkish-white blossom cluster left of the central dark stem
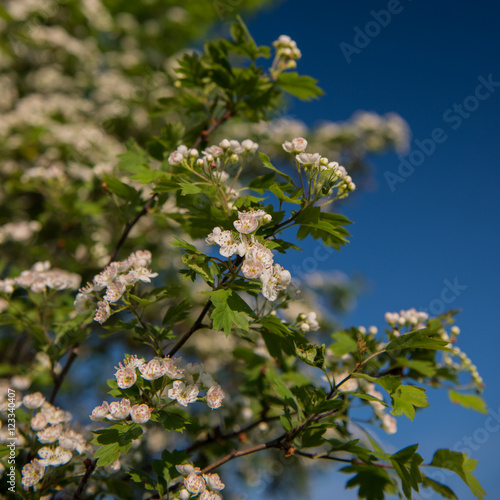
(117, 278)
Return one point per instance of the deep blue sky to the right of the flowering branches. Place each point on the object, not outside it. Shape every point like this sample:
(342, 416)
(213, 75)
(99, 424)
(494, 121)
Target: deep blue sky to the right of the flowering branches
(441, 223)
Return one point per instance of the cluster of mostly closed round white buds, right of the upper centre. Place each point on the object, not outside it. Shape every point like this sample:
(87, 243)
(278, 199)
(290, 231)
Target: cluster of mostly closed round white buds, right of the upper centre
(314, 164)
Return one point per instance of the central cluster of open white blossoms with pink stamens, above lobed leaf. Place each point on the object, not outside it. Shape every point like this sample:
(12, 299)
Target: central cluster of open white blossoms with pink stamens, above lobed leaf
(258, 262)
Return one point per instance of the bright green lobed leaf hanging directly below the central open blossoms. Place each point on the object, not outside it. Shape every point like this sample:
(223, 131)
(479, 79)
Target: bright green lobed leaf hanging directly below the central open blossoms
(229, 309)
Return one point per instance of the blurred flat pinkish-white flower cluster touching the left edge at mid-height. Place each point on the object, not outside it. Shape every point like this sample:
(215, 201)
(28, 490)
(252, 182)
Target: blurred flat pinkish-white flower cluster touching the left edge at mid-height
(40, 277)
